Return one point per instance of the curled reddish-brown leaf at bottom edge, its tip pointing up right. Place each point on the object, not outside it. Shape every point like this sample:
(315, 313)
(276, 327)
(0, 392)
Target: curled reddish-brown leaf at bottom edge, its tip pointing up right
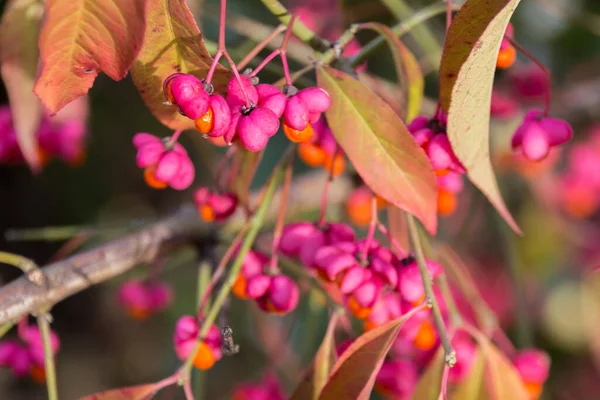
(353, 375)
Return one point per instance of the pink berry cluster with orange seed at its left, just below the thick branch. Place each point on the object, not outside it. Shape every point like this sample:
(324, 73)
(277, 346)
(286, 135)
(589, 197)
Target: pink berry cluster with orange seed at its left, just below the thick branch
(272, 291)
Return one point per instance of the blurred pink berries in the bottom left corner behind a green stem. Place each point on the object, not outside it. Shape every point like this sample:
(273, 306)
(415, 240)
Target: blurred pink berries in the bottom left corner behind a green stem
(25, 355)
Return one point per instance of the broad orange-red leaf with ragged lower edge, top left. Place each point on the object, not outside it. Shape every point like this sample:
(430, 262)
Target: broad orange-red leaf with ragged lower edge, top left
(81, 38)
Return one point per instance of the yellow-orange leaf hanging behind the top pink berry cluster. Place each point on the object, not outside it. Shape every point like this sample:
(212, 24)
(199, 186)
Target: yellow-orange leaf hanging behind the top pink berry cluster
(173, 43)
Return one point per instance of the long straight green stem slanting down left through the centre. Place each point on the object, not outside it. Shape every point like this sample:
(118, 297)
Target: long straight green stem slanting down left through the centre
(255, 225)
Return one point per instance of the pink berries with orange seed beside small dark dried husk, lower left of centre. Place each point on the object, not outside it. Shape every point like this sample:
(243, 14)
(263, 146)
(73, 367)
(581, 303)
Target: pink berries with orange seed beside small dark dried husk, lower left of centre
(185, 340)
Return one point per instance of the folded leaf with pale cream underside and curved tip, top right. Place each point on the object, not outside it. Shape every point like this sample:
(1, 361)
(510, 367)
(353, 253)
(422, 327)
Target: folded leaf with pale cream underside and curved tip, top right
(466, 79)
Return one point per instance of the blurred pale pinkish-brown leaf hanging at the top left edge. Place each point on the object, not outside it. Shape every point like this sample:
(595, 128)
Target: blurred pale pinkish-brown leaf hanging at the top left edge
(19, 31)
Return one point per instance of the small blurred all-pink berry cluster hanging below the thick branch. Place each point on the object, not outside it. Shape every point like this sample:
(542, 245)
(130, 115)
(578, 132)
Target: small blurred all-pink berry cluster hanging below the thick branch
(143, 298)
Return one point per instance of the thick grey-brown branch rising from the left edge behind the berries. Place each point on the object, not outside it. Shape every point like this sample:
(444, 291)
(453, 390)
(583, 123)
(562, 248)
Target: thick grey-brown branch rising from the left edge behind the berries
(74, 274)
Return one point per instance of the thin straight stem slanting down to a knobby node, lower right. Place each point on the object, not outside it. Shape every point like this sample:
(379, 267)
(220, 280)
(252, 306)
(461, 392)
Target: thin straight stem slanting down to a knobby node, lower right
(450, 354)
